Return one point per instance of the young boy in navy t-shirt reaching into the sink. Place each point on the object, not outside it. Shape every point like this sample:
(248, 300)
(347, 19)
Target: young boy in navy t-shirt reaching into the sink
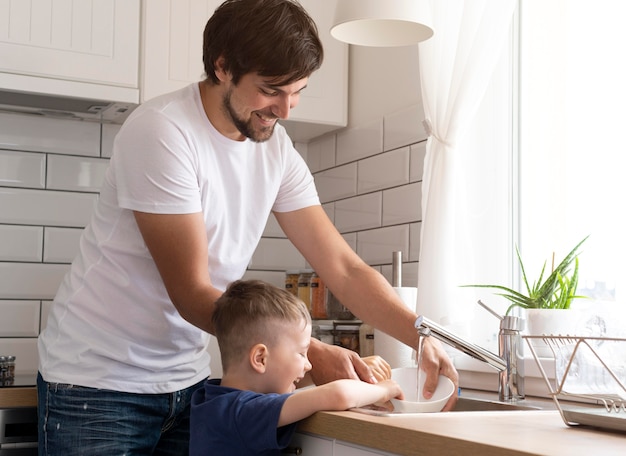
(264, 333)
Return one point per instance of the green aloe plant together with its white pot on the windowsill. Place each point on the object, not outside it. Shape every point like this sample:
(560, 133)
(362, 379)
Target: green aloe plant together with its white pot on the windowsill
(547, 298)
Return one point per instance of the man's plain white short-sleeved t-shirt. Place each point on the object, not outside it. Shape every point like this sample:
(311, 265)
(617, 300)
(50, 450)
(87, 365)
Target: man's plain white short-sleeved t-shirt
(112, 324)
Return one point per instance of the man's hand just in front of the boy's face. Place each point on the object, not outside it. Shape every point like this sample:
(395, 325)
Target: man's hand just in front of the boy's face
(331, 362)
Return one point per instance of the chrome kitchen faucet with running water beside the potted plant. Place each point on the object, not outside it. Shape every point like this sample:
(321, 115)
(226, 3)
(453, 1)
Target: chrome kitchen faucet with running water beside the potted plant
(509, 363)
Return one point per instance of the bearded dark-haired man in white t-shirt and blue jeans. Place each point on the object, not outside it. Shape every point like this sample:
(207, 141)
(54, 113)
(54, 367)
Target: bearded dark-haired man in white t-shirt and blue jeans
(193, 177)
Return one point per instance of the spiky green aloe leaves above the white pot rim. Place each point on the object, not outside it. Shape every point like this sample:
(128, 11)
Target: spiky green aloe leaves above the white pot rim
(555, 292)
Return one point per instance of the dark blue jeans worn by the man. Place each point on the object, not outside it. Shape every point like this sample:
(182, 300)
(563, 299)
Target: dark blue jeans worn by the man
(75, 420)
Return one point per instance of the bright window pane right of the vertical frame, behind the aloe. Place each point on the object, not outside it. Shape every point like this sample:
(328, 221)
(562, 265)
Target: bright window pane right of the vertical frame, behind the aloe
(572, 153)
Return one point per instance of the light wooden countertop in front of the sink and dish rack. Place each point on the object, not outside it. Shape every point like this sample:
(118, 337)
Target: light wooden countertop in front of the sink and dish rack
(497, 433)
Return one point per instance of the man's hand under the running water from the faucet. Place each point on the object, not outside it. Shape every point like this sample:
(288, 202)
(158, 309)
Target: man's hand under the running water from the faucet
(435, 362)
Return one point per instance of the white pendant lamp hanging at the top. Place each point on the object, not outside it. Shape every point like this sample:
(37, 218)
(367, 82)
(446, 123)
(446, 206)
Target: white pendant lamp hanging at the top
(381, 22)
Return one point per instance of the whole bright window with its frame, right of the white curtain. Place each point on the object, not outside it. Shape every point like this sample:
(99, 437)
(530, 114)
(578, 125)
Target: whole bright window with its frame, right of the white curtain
(549, 142)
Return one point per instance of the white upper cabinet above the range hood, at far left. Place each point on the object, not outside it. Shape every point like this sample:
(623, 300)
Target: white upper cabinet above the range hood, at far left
(79, 48)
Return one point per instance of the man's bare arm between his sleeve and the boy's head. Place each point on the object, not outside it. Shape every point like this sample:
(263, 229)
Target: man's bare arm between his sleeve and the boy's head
(178, 246)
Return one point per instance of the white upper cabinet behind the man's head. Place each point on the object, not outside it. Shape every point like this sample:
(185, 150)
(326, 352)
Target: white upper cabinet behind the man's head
(172, 58)
